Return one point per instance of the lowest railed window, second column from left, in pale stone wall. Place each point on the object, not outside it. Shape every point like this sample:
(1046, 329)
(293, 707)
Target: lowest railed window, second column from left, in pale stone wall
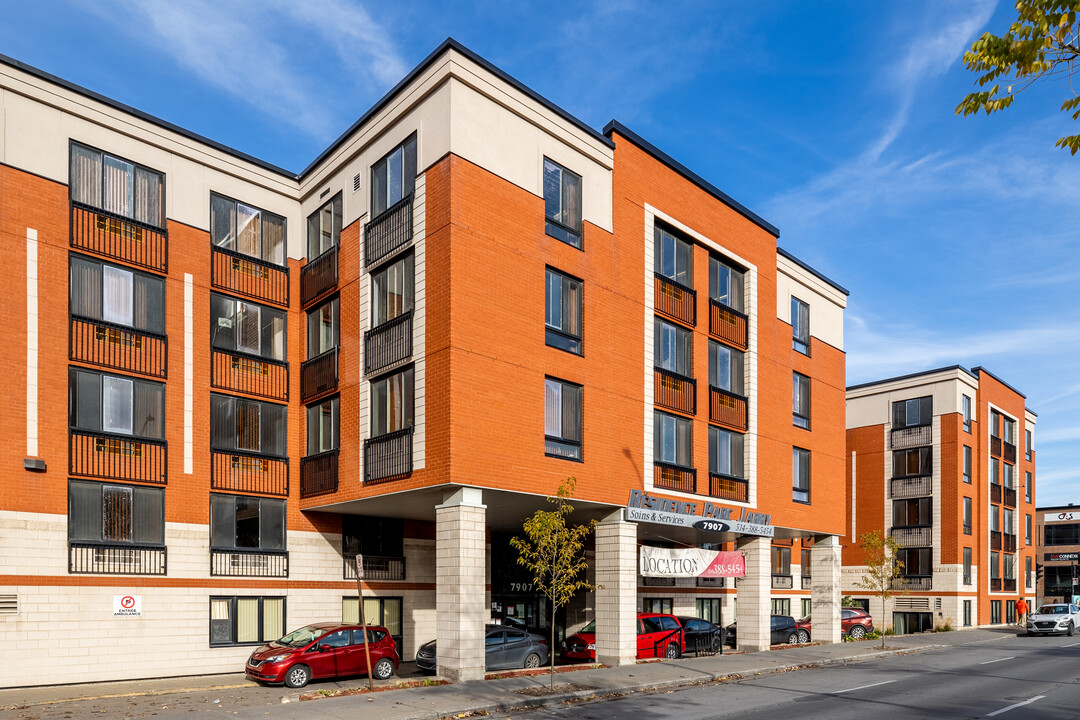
(244, 522)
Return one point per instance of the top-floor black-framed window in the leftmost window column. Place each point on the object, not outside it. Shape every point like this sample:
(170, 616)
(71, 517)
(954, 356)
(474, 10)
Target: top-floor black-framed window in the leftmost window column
(117, 186)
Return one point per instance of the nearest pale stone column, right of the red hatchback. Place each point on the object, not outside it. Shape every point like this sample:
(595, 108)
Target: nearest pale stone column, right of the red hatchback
(461, 562)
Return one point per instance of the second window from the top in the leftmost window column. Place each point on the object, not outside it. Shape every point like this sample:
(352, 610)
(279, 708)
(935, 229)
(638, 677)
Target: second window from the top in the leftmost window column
(116, 295)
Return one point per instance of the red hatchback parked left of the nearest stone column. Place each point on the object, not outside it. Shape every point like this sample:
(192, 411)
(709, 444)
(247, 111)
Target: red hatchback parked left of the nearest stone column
(323, 650)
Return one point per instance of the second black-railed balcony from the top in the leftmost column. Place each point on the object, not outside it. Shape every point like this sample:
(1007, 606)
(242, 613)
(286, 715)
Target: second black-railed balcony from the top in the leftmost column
(106, 345)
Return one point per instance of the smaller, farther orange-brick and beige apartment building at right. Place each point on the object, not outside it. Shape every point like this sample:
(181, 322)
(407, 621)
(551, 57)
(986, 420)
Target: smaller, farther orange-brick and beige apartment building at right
(942, 463)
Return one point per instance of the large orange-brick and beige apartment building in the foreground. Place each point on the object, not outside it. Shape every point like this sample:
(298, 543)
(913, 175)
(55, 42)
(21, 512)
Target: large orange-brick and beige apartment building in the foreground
(228, 381)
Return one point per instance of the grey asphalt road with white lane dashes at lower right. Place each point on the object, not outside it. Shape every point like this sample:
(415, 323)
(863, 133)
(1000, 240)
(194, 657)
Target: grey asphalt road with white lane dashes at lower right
(1010, 678)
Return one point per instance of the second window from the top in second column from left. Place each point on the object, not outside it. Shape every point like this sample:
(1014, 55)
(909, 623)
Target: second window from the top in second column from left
(245, 328)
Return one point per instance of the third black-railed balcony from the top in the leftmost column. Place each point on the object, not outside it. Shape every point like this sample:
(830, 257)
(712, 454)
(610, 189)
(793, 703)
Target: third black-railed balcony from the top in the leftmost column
(113, 457)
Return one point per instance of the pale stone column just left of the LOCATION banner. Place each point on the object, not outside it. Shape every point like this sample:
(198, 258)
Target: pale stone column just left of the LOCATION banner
(617, 595)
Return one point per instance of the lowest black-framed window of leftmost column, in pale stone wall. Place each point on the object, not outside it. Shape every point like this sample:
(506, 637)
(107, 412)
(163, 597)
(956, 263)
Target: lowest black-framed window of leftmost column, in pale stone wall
(112, 513)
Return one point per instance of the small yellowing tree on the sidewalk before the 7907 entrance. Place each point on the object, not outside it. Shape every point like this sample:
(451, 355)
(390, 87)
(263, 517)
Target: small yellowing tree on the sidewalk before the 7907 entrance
(553, 552)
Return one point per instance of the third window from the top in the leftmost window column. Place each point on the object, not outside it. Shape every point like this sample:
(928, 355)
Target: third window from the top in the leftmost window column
(112, 404)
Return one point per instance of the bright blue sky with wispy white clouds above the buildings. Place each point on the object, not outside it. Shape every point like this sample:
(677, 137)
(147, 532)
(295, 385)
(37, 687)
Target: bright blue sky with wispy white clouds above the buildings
(958, 238)
